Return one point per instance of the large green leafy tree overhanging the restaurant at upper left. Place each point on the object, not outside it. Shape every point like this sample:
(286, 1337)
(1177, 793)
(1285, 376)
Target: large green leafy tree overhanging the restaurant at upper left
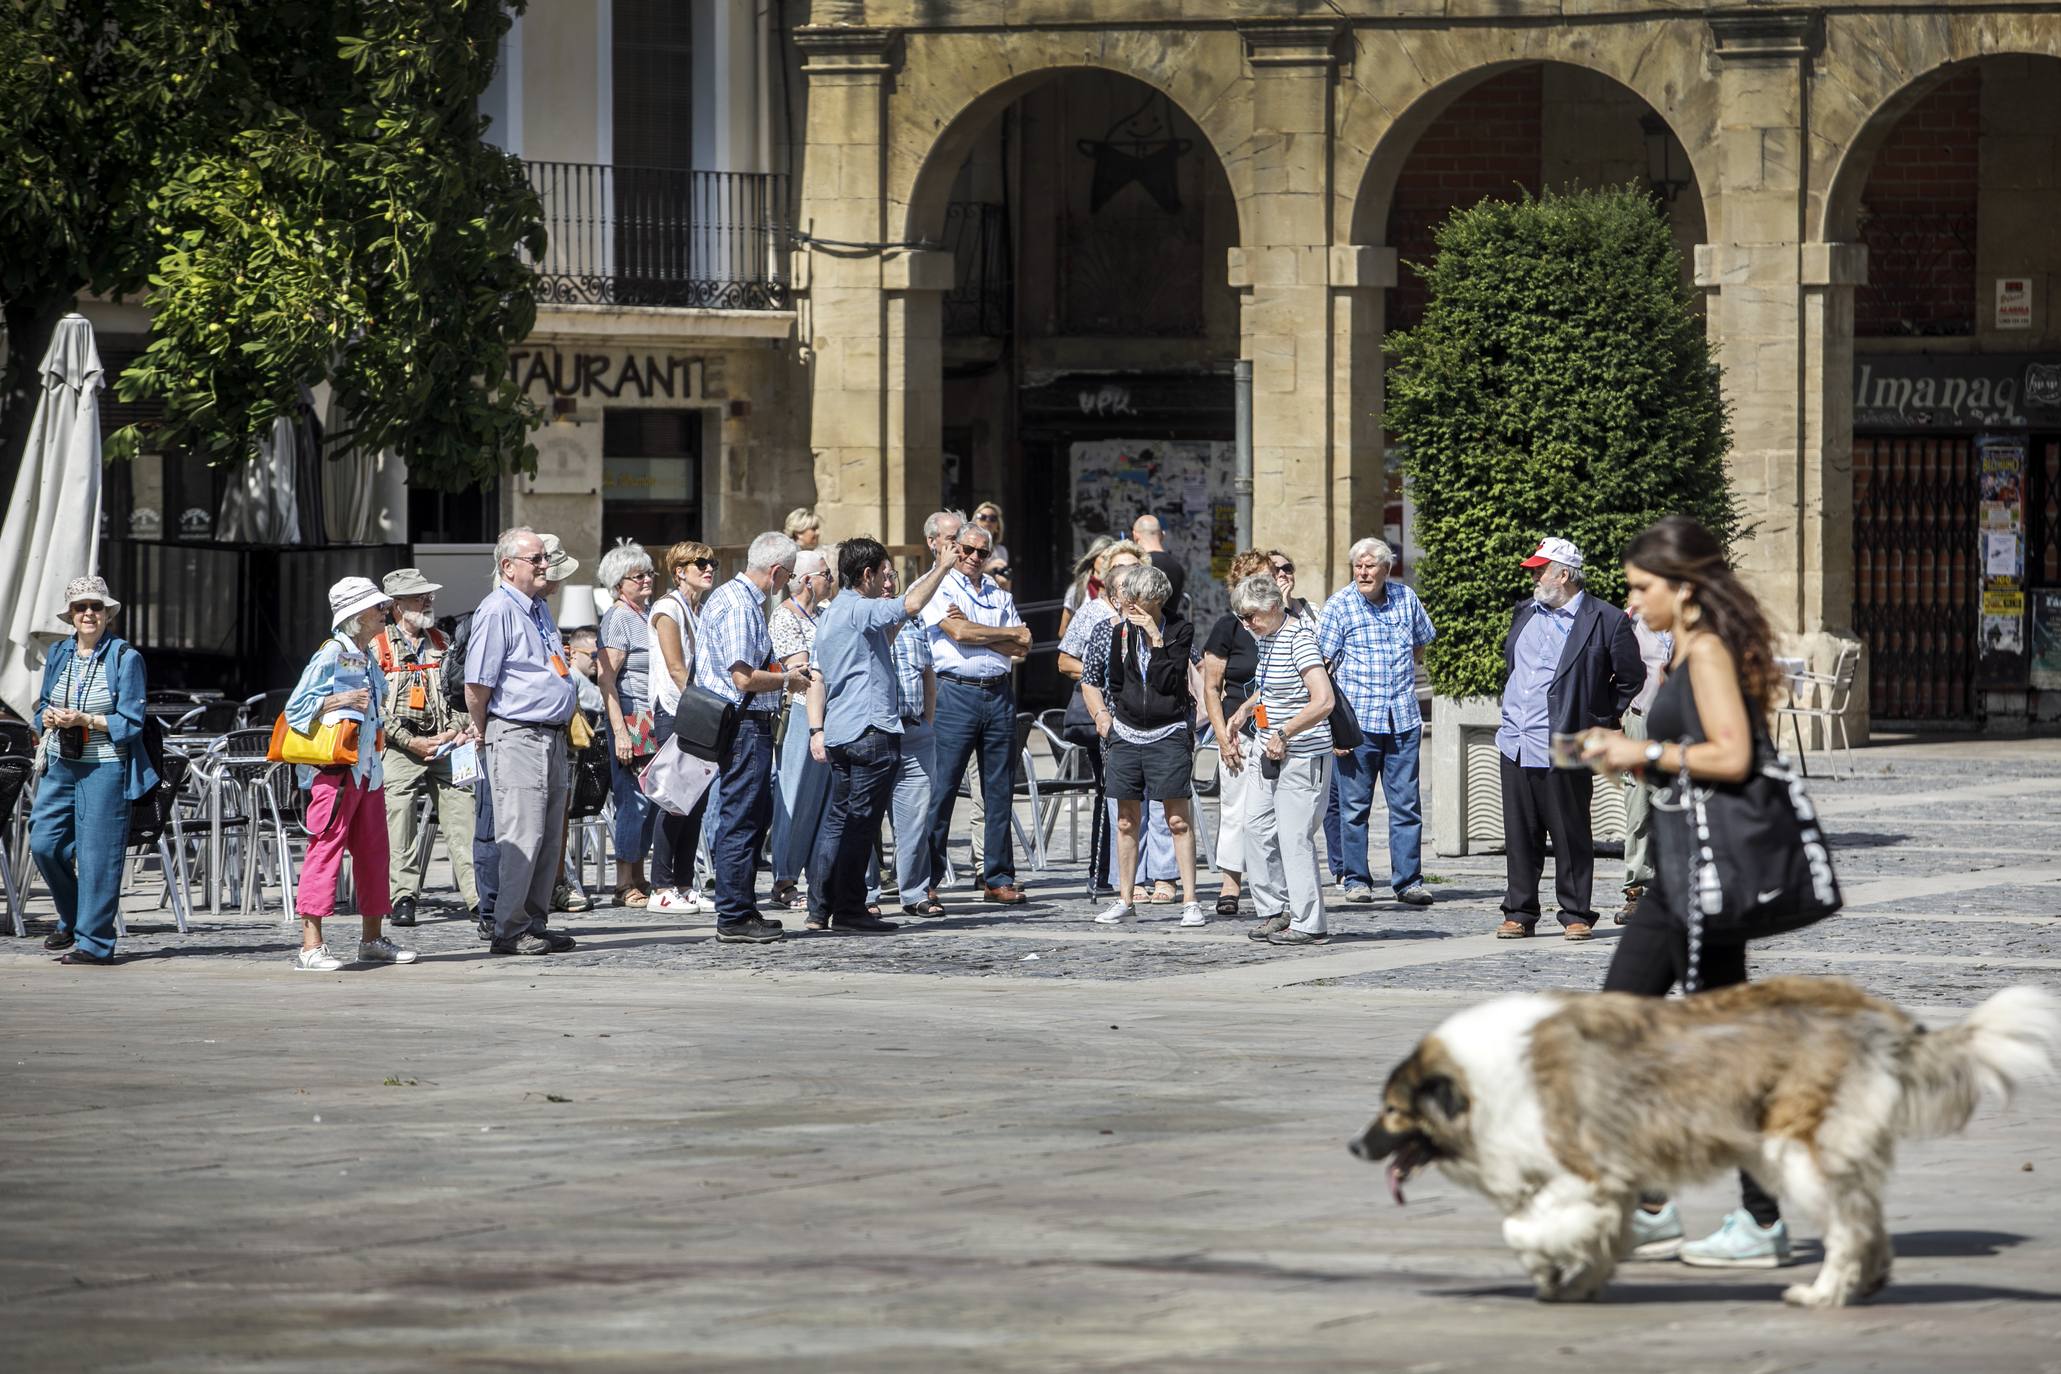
(304, 197)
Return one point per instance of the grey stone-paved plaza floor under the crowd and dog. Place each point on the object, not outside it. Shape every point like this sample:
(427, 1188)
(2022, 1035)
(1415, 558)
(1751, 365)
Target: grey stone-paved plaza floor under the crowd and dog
(1003, 1140)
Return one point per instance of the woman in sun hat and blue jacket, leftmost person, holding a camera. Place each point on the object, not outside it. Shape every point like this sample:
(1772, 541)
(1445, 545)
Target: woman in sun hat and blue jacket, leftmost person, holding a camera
(92, 765)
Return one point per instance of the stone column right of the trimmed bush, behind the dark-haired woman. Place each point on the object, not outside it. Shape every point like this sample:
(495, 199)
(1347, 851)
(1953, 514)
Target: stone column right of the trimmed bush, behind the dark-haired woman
(1784, 329)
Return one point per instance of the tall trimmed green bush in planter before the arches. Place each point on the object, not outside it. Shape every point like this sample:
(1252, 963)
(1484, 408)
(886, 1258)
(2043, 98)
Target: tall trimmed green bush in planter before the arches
(1559, 384)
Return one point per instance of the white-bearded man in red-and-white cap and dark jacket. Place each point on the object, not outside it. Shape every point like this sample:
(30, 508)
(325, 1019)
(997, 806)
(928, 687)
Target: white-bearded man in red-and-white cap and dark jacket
(1572, 664)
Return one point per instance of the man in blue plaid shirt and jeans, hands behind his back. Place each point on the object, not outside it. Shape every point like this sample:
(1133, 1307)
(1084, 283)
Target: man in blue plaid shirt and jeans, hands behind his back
(1372, 636)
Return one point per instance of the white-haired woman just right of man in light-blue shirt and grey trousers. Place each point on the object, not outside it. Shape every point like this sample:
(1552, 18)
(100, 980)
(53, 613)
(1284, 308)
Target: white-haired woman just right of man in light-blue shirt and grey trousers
(623, 671)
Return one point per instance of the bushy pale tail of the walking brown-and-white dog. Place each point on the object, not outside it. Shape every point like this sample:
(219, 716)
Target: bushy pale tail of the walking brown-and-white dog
(2006, 1041)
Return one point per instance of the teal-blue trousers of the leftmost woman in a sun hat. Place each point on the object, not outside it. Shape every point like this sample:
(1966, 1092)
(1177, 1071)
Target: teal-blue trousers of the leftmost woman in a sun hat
(77, 833)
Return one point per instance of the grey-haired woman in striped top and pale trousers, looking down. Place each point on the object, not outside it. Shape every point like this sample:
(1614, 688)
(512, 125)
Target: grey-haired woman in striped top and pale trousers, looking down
(1291, 712)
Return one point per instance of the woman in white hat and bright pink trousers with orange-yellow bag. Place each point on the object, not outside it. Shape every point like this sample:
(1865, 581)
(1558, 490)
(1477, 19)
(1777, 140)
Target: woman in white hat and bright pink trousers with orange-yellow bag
(345, 802)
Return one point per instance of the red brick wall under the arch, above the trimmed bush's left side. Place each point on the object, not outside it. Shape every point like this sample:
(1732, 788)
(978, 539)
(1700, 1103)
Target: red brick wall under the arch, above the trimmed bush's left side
(1485, 147)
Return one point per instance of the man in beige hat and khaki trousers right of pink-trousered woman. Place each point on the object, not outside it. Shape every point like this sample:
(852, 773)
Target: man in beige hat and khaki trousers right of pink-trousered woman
(419, 726)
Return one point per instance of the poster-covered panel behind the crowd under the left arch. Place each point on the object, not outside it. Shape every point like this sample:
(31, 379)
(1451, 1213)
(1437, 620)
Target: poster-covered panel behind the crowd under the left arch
(1186, 483)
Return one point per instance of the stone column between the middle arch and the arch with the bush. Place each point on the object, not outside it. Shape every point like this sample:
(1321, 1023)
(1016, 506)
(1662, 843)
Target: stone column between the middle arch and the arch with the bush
(1285, 271)
